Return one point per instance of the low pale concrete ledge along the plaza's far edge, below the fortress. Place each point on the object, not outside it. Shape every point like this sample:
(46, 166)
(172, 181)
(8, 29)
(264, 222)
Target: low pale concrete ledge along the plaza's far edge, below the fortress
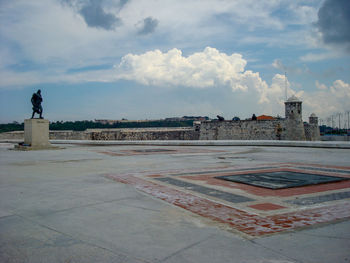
(313, 144)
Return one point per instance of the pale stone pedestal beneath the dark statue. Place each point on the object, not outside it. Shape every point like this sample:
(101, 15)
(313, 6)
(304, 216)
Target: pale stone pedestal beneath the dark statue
(36, 133)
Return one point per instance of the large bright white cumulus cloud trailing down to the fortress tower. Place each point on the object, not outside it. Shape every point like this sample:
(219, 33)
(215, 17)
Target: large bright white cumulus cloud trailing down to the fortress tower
(207, 69)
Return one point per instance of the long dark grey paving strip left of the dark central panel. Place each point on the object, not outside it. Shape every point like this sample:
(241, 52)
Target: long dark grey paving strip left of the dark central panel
(233, 198)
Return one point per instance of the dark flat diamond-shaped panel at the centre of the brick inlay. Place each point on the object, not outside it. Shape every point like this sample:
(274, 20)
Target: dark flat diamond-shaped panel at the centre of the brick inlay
(281, 179)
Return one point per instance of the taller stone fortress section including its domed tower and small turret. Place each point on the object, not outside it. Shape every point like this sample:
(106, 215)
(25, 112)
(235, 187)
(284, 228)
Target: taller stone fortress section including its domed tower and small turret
(290, 128)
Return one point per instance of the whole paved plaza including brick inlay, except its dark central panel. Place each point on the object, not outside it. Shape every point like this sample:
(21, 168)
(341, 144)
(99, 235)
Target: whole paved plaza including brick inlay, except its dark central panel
(165, 204)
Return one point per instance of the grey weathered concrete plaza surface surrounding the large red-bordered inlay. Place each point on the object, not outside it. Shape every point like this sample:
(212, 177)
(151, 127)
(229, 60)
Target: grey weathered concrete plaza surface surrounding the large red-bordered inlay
(58, 206)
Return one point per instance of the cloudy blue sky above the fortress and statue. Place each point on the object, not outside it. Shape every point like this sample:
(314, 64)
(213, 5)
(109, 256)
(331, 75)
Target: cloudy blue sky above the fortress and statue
(148, 59)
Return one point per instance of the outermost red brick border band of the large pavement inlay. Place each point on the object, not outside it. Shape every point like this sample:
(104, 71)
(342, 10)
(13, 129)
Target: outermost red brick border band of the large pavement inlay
(245, 222)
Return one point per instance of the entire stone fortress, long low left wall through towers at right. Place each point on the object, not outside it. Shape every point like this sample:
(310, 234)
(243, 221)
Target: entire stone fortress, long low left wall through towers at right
(291, 128)
